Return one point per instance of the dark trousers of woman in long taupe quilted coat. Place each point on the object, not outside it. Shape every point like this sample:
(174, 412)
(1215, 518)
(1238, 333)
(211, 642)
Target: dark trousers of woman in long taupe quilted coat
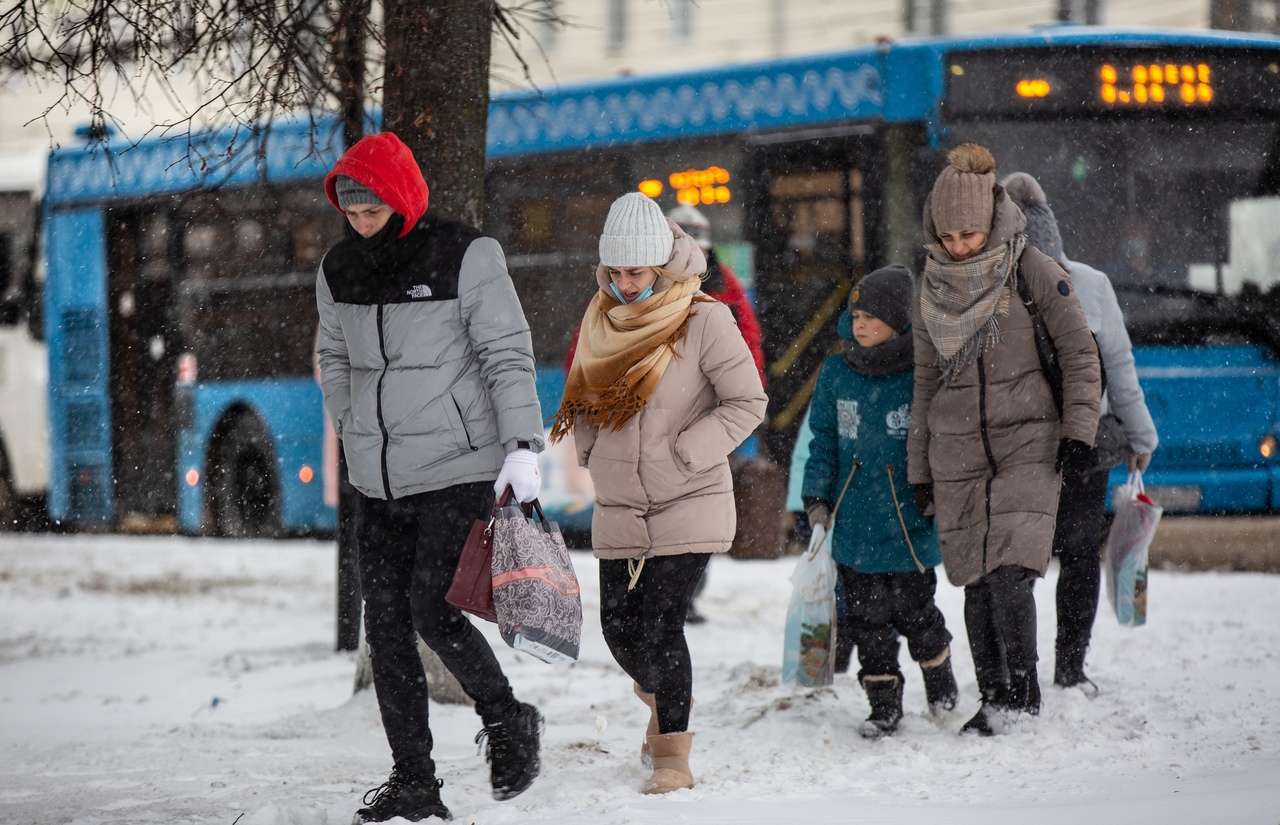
(1000, 618)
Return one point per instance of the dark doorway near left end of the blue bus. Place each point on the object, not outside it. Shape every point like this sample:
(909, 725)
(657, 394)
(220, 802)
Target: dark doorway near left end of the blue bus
(143, 349)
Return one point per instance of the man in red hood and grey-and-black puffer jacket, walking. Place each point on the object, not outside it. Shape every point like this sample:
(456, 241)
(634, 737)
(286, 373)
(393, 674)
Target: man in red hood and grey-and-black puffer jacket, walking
(428, 374)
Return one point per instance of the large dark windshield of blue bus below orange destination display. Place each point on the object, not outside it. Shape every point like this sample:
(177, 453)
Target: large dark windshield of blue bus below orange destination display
(1155, 204)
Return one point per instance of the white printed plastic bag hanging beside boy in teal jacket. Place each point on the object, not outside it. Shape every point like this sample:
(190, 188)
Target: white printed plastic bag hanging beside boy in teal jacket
(810, 650)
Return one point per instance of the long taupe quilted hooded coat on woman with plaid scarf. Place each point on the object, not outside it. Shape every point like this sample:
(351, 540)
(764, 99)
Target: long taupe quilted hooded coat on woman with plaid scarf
(989, 441)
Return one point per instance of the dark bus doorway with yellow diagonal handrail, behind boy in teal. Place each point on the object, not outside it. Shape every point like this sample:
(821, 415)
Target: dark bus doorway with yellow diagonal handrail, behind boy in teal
(810, 218)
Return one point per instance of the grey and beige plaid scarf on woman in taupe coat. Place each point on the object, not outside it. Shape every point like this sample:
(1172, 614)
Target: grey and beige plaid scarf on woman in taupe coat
(962, 302)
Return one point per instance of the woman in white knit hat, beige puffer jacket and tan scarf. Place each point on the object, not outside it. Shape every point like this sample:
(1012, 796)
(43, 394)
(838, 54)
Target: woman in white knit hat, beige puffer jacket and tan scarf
(661, 391)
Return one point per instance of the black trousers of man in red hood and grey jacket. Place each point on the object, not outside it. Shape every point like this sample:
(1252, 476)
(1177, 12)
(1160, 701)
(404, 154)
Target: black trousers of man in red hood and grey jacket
(409, 551)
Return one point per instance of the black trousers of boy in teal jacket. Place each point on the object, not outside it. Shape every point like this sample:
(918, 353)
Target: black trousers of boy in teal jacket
(884, 606)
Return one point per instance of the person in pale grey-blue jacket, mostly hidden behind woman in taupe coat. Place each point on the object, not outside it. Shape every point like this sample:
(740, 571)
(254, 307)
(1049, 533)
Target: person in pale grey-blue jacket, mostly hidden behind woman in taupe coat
(1081, 511)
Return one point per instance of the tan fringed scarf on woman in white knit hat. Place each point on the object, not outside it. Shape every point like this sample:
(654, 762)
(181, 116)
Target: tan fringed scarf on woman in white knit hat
(623, 351)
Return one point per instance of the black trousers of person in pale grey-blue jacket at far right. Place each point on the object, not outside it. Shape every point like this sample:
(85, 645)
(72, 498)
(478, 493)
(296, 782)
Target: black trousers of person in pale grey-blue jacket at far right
(1078, 546)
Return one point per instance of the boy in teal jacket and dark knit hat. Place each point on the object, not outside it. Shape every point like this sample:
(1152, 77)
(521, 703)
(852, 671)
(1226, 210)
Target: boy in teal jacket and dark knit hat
(885, 549)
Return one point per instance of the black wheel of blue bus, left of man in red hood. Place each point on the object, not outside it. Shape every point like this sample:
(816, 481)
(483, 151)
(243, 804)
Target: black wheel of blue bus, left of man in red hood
(244, 493)
